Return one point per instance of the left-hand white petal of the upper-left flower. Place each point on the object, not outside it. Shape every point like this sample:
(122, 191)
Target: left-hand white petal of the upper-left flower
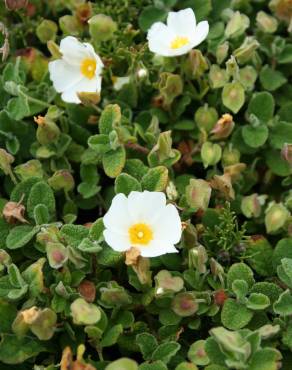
(63, 75)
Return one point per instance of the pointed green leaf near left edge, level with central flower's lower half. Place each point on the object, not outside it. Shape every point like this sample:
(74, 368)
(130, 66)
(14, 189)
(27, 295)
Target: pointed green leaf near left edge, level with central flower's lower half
(19, 236)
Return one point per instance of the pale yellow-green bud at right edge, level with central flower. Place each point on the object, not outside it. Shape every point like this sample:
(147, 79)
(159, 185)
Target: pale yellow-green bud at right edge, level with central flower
(276, 216)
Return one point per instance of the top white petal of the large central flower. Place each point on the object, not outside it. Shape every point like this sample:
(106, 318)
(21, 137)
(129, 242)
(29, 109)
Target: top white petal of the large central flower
(145, 206)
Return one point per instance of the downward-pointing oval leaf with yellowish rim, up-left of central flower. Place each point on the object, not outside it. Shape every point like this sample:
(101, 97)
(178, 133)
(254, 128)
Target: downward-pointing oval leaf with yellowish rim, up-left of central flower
(114, 161)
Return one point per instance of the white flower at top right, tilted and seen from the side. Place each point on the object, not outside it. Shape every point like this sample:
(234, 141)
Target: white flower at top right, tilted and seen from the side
(179, 36)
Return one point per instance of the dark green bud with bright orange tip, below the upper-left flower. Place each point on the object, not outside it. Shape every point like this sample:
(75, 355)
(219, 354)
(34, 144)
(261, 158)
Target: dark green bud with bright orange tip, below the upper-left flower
(47, 131)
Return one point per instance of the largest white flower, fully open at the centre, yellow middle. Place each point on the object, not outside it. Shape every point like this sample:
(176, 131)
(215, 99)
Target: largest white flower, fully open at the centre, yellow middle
(143, 221)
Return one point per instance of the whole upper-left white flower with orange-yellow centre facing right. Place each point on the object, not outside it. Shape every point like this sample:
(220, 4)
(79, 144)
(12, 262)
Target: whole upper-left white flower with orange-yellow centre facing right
(79, 70)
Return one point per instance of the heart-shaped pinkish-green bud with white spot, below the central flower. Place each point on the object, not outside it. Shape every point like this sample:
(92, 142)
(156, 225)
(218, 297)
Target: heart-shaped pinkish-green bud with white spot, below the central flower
(165, 283)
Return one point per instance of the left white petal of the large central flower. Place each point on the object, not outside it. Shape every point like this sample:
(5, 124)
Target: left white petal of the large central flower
(117, 218)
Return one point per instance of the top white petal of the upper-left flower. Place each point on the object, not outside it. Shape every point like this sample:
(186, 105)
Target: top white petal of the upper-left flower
(73, 51)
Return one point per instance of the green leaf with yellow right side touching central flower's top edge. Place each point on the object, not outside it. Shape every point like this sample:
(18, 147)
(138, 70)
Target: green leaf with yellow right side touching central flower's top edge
(155, 179)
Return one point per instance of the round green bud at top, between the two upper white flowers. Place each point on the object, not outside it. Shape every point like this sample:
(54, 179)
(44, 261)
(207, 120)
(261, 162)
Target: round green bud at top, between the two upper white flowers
(101, 27)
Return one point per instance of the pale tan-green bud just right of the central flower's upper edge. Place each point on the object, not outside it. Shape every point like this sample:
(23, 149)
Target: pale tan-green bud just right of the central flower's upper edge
(198, 194)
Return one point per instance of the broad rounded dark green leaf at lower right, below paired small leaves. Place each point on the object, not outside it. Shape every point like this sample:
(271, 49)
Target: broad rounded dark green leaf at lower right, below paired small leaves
(235, 315)
